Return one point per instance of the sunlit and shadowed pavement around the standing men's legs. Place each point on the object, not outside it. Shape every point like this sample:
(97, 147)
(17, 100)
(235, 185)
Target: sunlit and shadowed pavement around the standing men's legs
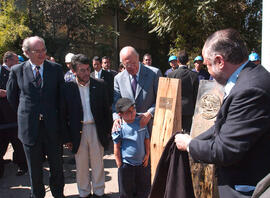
(12, 186)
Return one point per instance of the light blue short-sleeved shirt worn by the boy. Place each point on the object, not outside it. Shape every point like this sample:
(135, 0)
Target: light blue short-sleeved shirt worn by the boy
(132, 139)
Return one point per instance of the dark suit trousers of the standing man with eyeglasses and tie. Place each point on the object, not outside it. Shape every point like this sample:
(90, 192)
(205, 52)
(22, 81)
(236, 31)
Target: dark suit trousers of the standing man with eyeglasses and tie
(35, 158)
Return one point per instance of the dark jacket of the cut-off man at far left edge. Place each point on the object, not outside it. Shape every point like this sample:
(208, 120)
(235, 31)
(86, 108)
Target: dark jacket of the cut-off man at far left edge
(7, 114)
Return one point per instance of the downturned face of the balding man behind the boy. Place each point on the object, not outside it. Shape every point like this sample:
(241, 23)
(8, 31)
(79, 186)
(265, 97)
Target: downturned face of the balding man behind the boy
(131, 62)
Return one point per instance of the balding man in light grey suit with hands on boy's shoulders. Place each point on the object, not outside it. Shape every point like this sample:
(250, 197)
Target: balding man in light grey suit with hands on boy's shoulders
(138, 83)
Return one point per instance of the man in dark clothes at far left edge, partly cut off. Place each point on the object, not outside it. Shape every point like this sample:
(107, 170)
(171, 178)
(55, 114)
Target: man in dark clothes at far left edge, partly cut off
(8, 119)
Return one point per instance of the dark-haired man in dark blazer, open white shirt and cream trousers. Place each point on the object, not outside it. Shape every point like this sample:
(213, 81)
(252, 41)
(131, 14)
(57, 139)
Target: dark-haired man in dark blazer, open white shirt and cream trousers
(88, 118)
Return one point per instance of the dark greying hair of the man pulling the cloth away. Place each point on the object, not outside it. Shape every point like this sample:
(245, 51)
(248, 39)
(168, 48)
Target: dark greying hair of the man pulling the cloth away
(227, 43)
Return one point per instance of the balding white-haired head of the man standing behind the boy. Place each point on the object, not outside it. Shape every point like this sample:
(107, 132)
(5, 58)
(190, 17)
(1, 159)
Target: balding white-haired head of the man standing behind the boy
(130, 59)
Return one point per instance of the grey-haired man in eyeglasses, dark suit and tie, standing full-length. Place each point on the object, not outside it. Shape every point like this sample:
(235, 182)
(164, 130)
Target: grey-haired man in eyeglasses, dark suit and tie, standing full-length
(34, 90)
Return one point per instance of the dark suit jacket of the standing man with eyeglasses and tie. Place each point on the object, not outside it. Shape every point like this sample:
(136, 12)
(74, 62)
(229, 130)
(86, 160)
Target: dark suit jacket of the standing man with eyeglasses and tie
(31, 101)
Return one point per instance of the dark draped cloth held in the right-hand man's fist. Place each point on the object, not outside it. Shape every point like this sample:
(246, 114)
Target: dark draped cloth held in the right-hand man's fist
(173, 177)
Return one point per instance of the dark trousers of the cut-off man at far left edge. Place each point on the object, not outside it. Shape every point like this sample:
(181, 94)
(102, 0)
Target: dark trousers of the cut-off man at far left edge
(10, 136)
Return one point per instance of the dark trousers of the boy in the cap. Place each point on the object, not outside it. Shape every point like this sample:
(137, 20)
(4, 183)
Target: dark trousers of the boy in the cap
(133, 181)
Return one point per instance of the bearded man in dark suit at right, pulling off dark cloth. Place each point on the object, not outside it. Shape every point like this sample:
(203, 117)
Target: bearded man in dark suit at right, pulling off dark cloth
(238, 143)
